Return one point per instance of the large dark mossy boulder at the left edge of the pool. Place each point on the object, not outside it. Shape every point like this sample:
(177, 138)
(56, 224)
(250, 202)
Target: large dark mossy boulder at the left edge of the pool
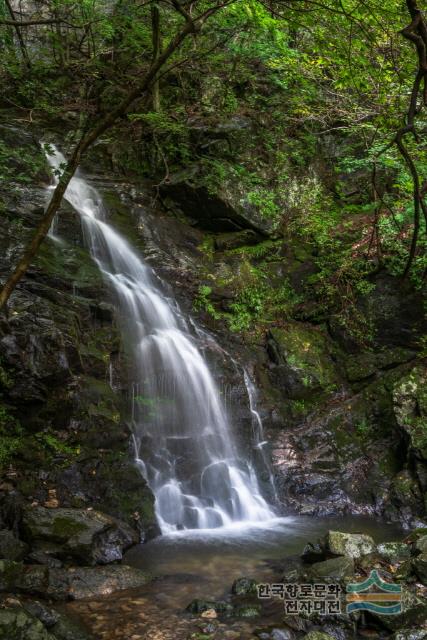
(86, 536)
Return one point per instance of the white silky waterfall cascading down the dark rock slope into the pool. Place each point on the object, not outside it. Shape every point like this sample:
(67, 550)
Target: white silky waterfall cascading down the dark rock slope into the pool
(184, 444)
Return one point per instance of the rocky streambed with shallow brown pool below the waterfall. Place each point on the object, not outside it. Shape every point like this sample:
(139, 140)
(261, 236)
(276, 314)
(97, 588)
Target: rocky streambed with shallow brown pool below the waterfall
(68, 580)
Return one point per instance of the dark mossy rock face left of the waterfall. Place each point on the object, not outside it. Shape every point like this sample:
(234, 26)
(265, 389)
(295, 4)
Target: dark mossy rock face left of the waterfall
(63, 407)
